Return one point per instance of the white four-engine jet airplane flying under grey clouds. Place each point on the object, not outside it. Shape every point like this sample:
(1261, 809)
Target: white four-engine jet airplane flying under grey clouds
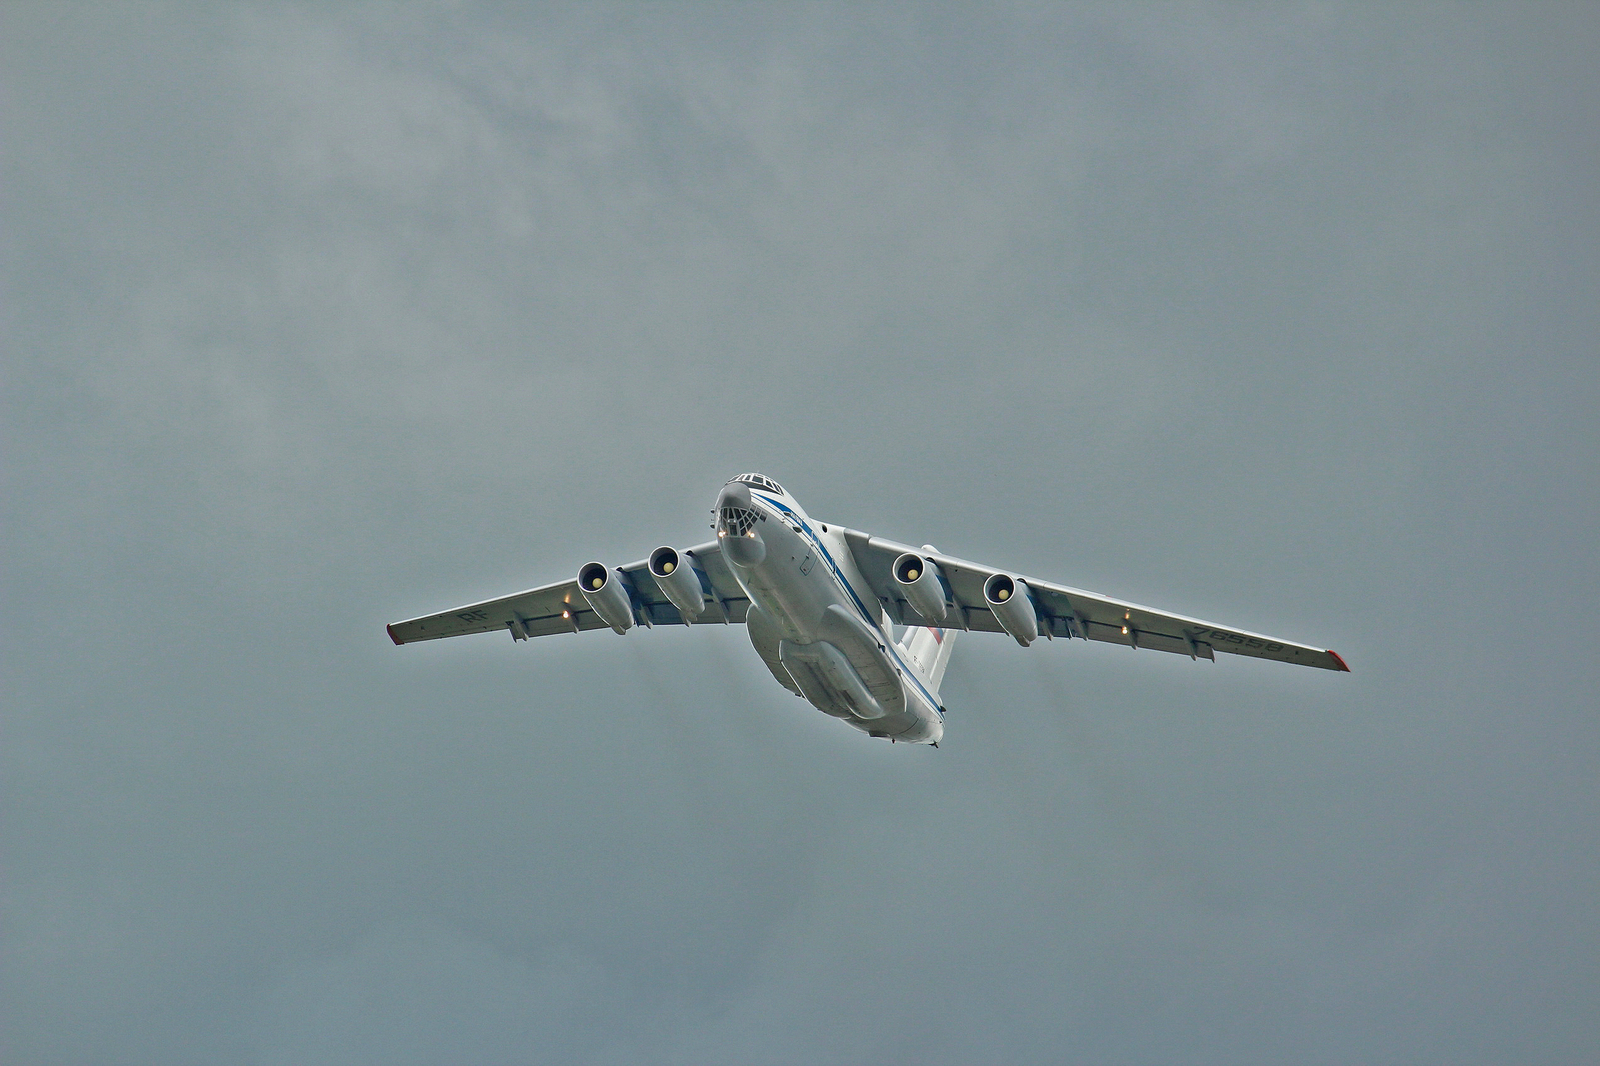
(822, 604)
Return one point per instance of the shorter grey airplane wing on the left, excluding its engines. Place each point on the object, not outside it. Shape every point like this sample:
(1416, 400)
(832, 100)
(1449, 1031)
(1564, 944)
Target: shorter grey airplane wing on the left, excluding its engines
(561, 607)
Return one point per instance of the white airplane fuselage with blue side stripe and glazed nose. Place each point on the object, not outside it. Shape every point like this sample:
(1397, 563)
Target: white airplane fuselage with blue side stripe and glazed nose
(817, 623)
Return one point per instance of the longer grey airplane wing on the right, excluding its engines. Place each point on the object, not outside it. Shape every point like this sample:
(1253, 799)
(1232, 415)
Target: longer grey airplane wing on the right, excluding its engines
(1068, 612)
